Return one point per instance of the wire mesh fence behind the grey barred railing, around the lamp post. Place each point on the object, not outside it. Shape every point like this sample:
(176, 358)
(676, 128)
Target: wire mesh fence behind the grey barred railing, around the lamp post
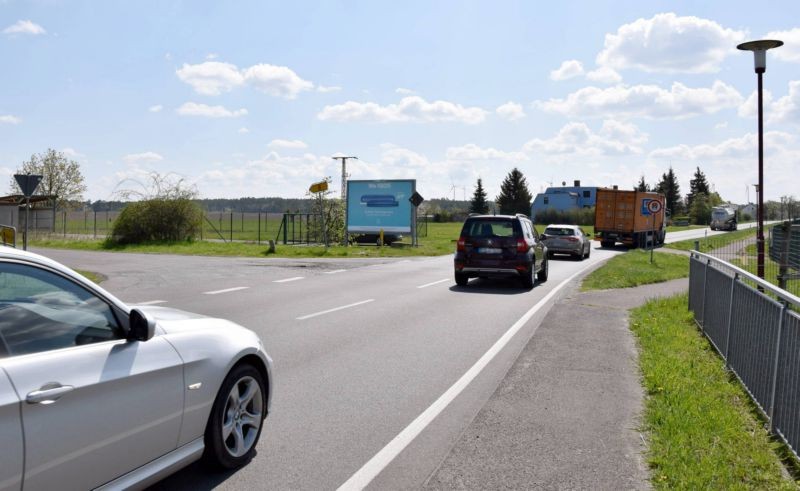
(781, 253)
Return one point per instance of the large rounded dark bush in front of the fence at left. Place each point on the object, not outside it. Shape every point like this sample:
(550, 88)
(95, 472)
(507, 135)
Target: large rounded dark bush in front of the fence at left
(157, 220)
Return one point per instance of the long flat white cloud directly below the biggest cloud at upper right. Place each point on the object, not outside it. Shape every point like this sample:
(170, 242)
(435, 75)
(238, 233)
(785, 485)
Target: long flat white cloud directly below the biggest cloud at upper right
(647, 101)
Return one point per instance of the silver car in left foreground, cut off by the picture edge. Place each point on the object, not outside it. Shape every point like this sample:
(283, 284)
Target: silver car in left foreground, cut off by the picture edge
(96, 394)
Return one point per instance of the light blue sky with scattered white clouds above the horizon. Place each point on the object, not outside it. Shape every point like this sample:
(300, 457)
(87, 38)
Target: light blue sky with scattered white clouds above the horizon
(254, 98)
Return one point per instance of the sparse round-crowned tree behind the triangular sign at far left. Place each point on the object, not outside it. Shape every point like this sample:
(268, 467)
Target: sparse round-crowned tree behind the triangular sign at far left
(62, 181)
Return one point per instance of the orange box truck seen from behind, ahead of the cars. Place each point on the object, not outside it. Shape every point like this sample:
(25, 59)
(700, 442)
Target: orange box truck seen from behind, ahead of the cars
(635, 218)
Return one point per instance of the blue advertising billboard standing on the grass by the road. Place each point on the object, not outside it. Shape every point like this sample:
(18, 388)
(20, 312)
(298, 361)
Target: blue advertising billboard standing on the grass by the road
(376, 205)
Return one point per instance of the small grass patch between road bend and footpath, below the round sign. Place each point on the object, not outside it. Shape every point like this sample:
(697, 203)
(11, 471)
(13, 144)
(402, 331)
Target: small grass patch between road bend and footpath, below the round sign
(634, 268)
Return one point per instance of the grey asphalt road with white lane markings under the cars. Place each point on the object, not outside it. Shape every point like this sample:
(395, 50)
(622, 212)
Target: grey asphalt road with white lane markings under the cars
(362, 349)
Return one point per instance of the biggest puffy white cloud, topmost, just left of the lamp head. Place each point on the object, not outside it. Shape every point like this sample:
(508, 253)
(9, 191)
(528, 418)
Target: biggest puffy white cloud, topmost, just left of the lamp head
(667, 43)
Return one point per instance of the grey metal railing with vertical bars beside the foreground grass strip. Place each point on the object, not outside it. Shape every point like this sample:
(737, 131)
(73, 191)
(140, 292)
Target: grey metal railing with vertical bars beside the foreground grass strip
(755, 327)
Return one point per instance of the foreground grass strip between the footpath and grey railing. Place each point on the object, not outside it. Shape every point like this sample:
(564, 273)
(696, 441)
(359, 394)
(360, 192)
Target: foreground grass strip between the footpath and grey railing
(701, 425)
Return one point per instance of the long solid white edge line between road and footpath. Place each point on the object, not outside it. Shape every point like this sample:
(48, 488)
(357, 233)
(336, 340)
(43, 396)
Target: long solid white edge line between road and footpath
(387, 454)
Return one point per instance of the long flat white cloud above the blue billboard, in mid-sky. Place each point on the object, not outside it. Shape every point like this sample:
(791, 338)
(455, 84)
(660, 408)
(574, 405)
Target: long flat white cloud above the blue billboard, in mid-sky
(409, 109)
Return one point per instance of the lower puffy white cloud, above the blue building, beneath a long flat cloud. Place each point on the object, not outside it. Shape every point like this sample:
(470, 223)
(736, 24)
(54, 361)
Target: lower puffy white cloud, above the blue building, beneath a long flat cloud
(613, 138)
